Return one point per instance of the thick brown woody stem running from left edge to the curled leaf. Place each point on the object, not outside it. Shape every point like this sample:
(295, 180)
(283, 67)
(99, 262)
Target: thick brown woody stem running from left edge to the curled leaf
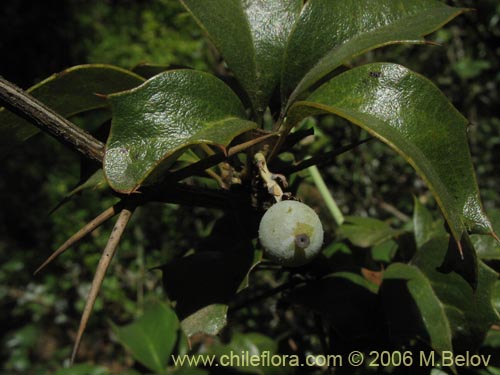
(29, 108)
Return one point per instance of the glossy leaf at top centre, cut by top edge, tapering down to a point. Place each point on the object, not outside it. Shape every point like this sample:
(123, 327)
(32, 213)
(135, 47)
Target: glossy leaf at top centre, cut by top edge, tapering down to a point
(251, 35)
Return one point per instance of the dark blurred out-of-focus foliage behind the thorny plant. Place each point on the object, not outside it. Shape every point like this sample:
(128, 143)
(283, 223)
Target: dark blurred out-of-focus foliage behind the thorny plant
(40, 38)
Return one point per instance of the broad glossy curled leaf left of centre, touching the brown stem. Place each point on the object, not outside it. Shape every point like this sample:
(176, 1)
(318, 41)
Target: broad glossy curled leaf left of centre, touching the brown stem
(155, 122)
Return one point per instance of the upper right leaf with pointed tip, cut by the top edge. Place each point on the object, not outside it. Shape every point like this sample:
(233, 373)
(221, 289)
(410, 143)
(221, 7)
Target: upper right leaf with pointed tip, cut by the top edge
(329, 33)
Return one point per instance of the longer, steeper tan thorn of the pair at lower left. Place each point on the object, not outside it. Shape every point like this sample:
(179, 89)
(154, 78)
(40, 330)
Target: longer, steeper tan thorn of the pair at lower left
(102, 267)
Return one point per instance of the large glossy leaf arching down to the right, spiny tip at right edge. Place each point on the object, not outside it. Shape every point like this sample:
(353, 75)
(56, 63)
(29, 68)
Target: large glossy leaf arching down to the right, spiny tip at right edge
(407, 112)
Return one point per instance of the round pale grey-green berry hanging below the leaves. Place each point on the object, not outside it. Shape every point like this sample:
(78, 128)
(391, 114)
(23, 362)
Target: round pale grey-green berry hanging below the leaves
(291, 233)
